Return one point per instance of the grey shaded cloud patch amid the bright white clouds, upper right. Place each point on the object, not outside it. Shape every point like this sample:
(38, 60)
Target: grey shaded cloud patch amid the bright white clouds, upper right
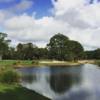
(73, 18)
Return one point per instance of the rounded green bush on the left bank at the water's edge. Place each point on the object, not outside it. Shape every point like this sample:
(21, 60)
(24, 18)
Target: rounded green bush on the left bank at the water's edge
(9, 77)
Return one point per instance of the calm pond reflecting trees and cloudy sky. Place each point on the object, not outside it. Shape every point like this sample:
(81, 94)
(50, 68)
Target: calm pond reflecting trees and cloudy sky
(64, 83)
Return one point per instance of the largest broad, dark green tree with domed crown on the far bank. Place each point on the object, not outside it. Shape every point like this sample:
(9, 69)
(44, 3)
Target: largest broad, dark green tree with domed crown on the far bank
(61, 48)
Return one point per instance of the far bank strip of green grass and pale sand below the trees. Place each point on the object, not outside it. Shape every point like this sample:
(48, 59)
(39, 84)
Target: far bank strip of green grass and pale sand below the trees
(8, 64)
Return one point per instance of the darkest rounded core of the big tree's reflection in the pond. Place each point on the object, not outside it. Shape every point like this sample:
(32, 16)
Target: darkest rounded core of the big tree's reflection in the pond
(60, 82)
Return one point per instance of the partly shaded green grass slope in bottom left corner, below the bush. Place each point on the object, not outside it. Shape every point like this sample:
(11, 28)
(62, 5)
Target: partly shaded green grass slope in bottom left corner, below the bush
(16, 92)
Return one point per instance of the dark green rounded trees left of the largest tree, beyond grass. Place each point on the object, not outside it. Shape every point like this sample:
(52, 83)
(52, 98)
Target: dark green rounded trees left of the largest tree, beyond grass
(26, 51)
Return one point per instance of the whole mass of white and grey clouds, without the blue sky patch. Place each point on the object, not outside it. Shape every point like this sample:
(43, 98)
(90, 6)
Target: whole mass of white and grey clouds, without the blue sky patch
(76, 19)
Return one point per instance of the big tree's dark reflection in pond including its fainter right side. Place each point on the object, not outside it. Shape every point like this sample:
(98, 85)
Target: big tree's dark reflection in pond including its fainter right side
(63, 81)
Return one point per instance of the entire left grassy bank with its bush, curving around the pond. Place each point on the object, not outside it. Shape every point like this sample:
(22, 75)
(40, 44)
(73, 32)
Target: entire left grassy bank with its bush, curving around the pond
(11, 90)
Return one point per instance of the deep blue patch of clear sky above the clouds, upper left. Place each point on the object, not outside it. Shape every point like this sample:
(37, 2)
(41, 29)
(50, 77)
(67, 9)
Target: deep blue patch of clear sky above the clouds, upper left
(41, 7)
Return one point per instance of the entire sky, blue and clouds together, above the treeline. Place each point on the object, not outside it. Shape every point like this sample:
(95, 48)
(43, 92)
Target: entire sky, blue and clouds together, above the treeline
(37, 21)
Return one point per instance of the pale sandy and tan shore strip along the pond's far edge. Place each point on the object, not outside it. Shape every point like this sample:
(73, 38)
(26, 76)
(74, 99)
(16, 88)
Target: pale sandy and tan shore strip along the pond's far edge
(56, 63)
